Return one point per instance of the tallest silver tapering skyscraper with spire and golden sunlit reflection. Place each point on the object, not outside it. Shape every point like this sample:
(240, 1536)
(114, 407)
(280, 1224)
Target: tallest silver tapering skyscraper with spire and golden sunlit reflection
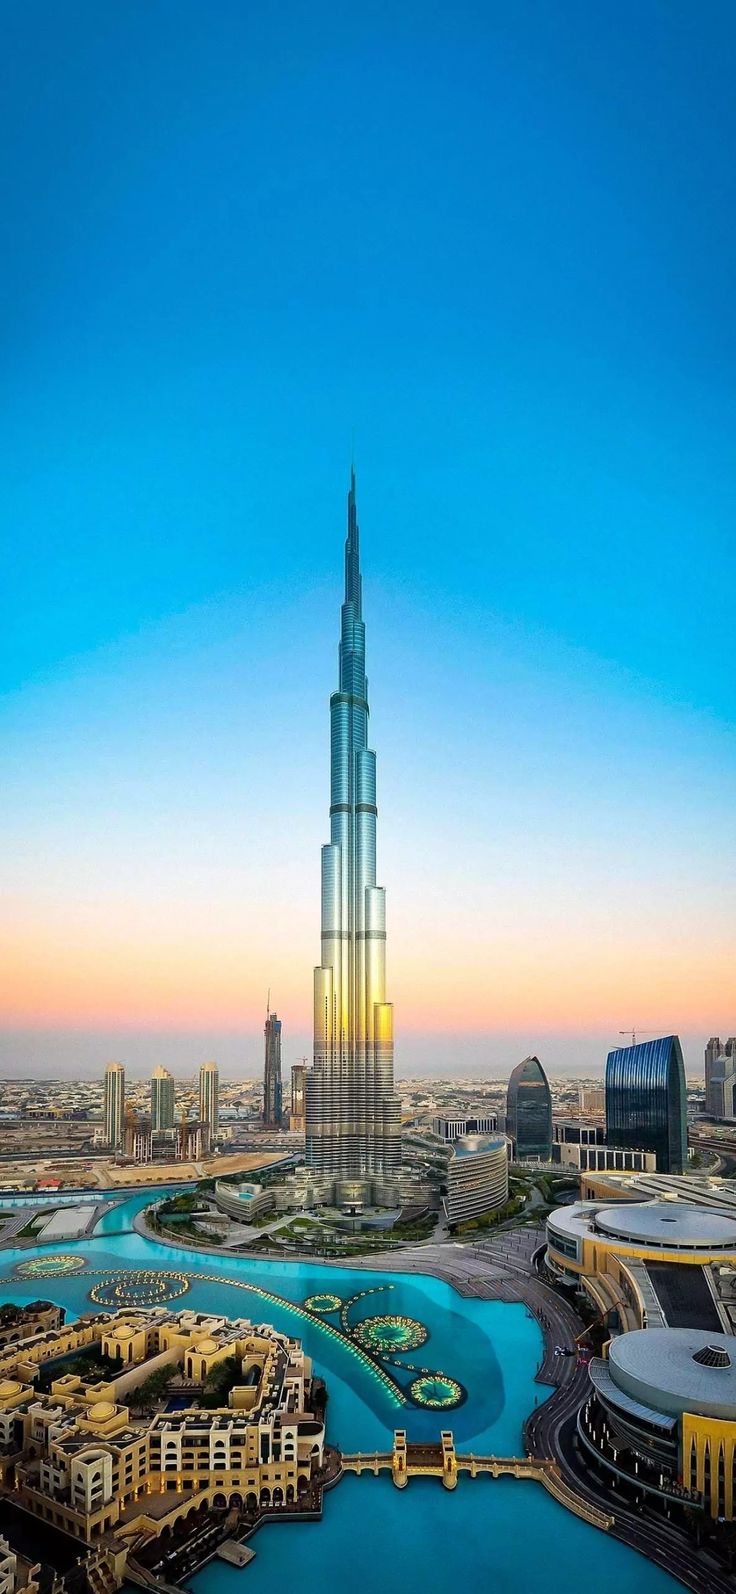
(353, 1115)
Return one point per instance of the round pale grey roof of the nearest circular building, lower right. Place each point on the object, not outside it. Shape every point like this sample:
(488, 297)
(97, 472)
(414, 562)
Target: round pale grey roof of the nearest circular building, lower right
(676, 1370)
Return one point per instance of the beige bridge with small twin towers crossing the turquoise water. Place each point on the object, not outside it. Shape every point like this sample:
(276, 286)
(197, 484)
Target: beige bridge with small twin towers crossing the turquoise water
(442, 1461)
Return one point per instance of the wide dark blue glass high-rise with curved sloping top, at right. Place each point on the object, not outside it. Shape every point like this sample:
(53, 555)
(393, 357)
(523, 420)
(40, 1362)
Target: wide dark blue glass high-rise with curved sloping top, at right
(646, 1101)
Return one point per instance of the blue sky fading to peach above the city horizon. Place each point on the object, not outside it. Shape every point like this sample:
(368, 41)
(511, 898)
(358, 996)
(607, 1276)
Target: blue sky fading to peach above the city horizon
(495, 245)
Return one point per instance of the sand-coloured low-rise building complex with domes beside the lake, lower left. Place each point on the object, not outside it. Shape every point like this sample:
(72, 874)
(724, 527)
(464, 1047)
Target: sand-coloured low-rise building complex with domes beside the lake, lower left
(74, 1456)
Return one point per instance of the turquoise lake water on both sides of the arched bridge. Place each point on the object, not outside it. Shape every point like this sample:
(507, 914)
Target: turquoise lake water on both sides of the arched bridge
(496, 1534)
